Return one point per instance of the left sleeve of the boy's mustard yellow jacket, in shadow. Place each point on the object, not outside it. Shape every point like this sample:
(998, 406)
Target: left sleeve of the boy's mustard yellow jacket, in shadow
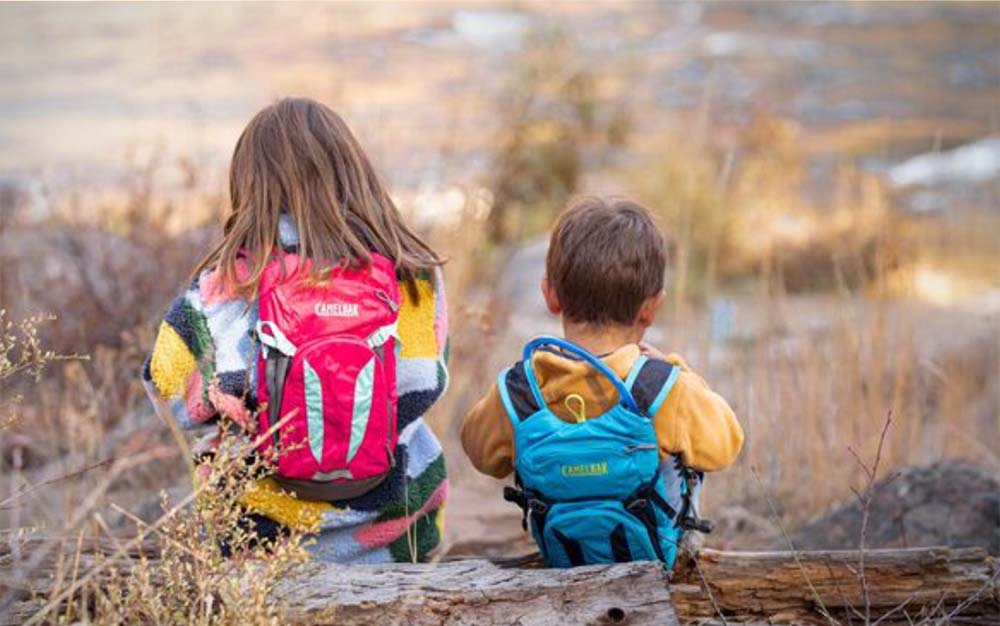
(488, 436)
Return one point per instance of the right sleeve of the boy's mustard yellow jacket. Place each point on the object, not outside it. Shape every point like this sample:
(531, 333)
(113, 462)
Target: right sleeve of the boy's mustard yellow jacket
(697, 423)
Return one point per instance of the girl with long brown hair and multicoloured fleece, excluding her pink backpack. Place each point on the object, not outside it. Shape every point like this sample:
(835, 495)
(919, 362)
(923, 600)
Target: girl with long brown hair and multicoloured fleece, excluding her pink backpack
(305, 195)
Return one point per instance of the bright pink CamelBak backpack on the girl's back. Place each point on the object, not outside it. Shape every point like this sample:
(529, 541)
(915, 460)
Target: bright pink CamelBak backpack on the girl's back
(328, 364)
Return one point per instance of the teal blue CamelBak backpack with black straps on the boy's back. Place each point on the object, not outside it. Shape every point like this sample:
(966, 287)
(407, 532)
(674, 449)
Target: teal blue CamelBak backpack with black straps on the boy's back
(595, 491)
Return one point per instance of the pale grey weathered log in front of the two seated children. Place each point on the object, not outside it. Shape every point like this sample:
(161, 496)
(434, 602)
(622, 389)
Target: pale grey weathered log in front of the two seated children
(477, 592)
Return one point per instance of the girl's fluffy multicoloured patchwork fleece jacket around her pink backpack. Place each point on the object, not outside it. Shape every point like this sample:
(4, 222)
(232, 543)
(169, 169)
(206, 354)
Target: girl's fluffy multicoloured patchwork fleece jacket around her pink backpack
(204, 359)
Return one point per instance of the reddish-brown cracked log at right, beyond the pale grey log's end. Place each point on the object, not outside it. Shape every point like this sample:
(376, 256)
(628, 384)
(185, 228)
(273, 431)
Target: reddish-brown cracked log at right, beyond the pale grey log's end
(903, 586)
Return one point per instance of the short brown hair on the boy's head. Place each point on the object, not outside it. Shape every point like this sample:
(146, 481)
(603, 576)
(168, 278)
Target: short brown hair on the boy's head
(605, 258)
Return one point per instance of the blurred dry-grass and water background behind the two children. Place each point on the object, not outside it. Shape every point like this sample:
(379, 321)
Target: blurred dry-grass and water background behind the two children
(828, 175)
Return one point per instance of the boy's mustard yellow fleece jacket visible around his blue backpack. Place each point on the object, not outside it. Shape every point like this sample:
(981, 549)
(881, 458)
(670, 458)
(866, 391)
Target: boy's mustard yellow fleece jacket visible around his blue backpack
(693, 421)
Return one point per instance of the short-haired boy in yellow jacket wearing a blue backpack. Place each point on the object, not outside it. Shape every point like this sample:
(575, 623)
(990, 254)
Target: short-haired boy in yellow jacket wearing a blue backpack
(608, 450)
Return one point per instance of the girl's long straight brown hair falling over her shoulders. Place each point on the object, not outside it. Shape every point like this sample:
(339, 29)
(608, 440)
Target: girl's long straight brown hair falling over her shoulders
(298, 156)
